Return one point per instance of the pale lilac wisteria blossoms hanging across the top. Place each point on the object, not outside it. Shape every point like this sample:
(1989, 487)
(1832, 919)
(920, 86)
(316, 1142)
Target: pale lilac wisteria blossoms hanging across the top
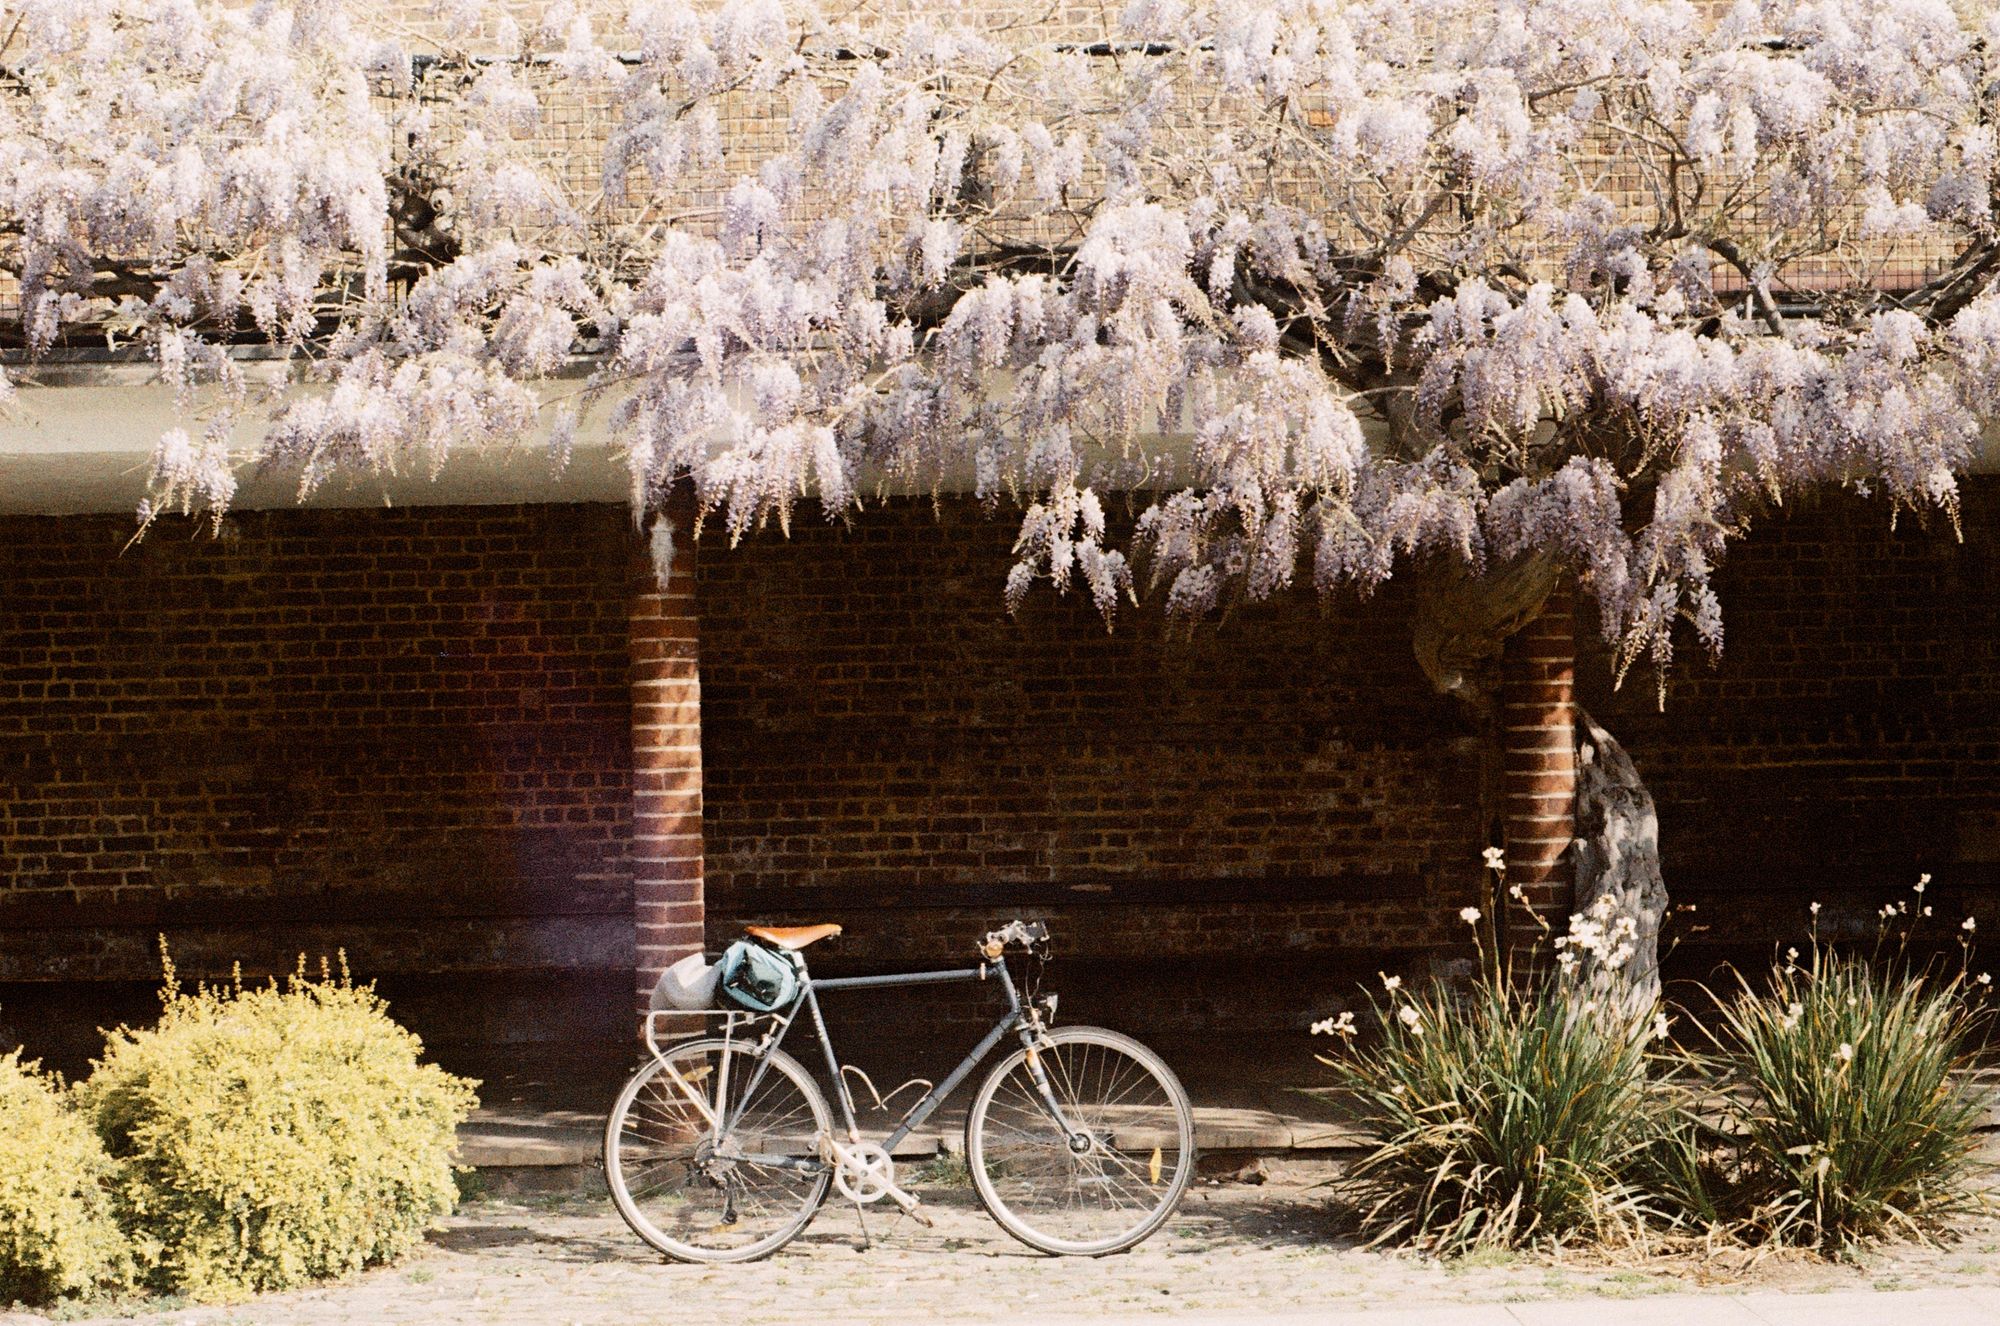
(1327, 285)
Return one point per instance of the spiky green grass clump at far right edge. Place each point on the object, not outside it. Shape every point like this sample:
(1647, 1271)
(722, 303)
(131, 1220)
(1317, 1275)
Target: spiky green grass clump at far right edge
(1851, 1099)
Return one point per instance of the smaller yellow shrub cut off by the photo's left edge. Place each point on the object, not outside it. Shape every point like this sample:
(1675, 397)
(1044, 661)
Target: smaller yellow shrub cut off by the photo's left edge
(59, 1233)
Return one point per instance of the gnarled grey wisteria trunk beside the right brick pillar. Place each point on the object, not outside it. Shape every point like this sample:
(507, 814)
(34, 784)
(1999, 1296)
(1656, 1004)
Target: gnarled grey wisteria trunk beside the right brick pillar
(1619, 867)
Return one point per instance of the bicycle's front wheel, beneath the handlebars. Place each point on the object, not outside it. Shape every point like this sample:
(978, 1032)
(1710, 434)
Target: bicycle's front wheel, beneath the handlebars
(1107, 1181)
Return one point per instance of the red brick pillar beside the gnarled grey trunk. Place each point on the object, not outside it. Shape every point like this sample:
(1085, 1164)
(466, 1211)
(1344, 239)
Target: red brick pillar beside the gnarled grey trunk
(1539, 769)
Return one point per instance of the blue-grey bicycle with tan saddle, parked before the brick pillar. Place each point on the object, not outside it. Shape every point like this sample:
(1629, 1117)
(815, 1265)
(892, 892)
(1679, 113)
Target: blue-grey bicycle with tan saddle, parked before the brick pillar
(723, 1149)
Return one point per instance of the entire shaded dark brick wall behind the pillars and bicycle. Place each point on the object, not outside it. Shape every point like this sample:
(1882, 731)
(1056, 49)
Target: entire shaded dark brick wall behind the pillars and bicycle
(413, 735)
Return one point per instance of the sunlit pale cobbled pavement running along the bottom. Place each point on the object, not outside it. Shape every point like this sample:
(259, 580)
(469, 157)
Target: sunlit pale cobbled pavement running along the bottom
(1231, 1251)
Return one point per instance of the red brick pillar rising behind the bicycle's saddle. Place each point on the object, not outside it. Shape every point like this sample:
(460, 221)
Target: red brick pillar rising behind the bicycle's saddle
(667, 751)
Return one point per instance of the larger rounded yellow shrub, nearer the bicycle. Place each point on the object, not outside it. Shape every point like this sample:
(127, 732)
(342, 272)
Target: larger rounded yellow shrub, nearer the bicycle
(273, 1137)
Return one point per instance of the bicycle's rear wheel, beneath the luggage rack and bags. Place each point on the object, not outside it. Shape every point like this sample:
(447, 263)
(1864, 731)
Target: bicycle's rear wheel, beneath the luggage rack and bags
(701, 1171)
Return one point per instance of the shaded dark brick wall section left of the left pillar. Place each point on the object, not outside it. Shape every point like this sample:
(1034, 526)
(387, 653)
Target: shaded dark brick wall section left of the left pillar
(401, 733)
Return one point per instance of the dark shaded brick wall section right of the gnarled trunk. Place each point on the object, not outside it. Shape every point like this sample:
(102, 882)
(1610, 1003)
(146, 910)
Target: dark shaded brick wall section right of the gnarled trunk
(1851, 735)
